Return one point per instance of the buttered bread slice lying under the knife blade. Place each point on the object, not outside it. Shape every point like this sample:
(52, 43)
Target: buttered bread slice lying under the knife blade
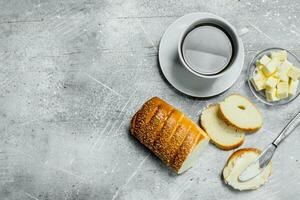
(237, 163)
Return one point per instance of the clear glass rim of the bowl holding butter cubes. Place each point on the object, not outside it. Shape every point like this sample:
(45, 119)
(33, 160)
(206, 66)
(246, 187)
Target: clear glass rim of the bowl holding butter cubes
(249, 74)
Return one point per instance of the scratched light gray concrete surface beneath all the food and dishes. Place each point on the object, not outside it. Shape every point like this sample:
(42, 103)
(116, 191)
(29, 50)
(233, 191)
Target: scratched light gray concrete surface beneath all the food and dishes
(73, 73)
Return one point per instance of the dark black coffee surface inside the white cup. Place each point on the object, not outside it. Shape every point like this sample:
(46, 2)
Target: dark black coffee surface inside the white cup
(207, 49)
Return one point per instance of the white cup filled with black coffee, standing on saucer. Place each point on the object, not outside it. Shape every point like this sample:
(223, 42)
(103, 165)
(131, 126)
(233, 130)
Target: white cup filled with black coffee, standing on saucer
(209, 47)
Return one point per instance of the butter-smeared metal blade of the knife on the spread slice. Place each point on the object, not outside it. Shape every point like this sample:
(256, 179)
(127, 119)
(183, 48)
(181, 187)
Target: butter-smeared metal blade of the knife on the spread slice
(257, 166)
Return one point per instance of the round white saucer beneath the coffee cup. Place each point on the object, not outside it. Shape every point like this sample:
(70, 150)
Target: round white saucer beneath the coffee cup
(179, 77)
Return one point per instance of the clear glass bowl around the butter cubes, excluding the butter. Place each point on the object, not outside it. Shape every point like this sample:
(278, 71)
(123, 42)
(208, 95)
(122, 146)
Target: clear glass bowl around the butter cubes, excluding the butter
(260, 95)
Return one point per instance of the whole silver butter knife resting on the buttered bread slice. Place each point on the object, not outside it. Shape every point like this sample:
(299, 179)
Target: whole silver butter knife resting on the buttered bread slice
(257, 166)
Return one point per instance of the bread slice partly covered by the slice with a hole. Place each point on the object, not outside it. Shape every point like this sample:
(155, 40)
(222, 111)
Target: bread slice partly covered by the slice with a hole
(222, 135)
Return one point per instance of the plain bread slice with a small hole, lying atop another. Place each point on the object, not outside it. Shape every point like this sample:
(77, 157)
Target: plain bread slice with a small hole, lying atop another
(239, 112)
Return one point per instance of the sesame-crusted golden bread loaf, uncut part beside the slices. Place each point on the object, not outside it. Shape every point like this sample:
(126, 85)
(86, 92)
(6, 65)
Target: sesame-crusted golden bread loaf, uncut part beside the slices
(169, 134)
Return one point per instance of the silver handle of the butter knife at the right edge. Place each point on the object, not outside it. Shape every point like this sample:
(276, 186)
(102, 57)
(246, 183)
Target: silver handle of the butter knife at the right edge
(287, 130)
